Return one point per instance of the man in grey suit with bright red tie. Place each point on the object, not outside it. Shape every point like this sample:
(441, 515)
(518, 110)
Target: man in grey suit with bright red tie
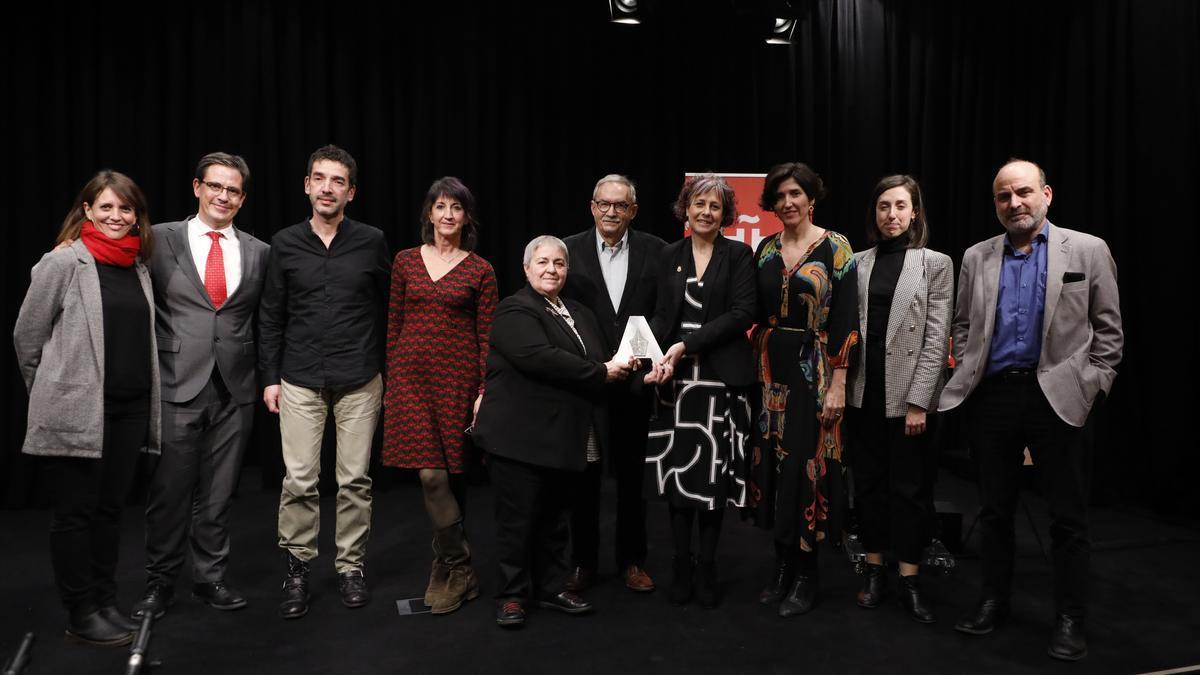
(208, 277)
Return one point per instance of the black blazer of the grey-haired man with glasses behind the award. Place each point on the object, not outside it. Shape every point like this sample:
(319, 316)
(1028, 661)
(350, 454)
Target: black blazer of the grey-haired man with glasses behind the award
(586, 282)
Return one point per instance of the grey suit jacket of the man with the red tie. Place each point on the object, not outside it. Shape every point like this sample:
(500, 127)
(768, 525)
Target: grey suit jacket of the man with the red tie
(193, 336)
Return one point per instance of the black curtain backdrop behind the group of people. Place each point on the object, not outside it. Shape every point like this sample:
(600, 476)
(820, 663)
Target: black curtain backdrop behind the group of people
(531, 103)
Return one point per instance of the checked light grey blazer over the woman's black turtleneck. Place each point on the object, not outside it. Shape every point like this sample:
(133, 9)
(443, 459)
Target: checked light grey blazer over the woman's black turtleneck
(919, 331)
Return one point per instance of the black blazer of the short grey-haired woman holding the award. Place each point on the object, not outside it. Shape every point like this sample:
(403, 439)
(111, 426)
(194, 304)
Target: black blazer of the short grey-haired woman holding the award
(542, 393)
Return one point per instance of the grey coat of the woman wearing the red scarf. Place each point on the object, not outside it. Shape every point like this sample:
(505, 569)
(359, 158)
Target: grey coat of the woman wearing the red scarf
(61, 351)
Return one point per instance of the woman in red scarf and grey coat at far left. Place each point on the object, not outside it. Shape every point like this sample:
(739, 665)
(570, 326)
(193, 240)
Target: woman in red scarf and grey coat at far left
(86, 347)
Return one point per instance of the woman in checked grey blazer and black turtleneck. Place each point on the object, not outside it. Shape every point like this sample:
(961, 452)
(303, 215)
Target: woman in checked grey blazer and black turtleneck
(905, 300)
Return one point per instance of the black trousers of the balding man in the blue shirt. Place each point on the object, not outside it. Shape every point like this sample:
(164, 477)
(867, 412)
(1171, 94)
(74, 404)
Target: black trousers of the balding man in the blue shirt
(1009, 415)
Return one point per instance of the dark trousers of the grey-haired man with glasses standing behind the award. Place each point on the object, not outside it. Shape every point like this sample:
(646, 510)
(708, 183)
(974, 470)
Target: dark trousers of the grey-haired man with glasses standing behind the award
(629, 425)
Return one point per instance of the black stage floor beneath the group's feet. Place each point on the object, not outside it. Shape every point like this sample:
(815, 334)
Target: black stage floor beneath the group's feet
(1144, 613)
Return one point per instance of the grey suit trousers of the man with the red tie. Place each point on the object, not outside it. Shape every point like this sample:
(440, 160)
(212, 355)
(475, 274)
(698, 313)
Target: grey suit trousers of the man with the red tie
(191, 492)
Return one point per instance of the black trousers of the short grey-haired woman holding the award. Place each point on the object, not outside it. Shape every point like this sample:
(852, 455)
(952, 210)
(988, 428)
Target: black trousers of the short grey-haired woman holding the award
(531, 527)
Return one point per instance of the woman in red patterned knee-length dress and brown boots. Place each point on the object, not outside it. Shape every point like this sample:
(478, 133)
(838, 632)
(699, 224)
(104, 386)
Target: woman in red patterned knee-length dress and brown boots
(439, 319)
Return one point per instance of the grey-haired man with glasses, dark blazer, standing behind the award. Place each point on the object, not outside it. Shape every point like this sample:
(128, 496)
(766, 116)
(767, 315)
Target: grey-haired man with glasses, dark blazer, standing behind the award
(614, 274)
